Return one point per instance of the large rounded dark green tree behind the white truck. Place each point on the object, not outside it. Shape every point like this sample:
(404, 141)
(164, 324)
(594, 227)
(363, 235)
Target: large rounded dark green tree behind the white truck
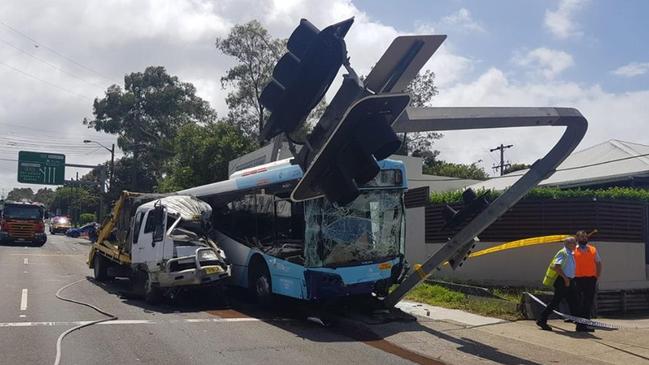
(147, 114)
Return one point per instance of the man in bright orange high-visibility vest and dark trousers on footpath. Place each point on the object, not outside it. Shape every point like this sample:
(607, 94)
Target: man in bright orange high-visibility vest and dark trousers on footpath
(588, 270)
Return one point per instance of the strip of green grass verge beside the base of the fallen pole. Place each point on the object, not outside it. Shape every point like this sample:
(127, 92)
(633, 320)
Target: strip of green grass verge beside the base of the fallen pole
(440, 296)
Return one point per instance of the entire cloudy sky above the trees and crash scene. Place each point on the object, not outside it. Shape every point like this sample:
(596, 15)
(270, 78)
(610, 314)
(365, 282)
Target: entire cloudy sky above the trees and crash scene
(586, 54)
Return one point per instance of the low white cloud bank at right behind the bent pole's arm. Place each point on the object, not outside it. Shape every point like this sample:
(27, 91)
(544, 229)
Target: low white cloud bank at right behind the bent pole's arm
(610, 115)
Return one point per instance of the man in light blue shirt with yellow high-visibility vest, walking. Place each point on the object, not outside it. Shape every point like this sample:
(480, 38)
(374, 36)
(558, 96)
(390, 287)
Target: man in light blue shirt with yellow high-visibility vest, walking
(560, 275)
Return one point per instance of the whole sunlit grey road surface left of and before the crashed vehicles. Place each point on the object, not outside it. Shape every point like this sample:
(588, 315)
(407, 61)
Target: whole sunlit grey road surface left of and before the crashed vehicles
(238, 341)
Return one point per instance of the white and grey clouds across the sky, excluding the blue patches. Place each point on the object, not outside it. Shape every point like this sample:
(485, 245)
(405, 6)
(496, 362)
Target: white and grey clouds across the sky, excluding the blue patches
(116, 37)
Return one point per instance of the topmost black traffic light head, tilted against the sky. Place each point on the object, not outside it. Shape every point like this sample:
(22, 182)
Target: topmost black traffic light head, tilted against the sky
(303, 75)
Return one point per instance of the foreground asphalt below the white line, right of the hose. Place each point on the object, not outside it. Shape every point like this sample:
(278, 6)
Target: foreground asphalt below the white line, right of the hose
(238, 342)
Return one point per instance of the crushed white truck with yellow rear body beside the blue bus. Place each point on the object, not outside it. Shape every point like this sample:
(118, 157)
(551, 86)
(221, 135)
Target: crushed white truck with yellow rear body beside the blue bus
(159, 242)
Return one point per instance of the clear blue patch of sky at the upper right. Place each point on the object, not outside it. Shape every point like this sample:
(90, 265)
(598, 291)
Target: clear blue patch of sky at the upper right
(612, 33)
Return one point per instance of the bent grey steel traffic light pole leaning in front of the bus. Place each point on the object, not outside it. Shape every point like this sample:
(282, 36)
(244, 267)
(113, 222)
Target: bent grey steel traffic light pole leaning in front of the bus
(444, 119)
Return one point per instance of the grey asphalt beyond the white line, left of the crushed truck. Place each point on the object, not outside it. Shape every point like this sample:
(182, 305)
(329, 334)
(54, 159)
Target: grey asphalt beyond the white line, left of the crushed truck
(56, 265)
